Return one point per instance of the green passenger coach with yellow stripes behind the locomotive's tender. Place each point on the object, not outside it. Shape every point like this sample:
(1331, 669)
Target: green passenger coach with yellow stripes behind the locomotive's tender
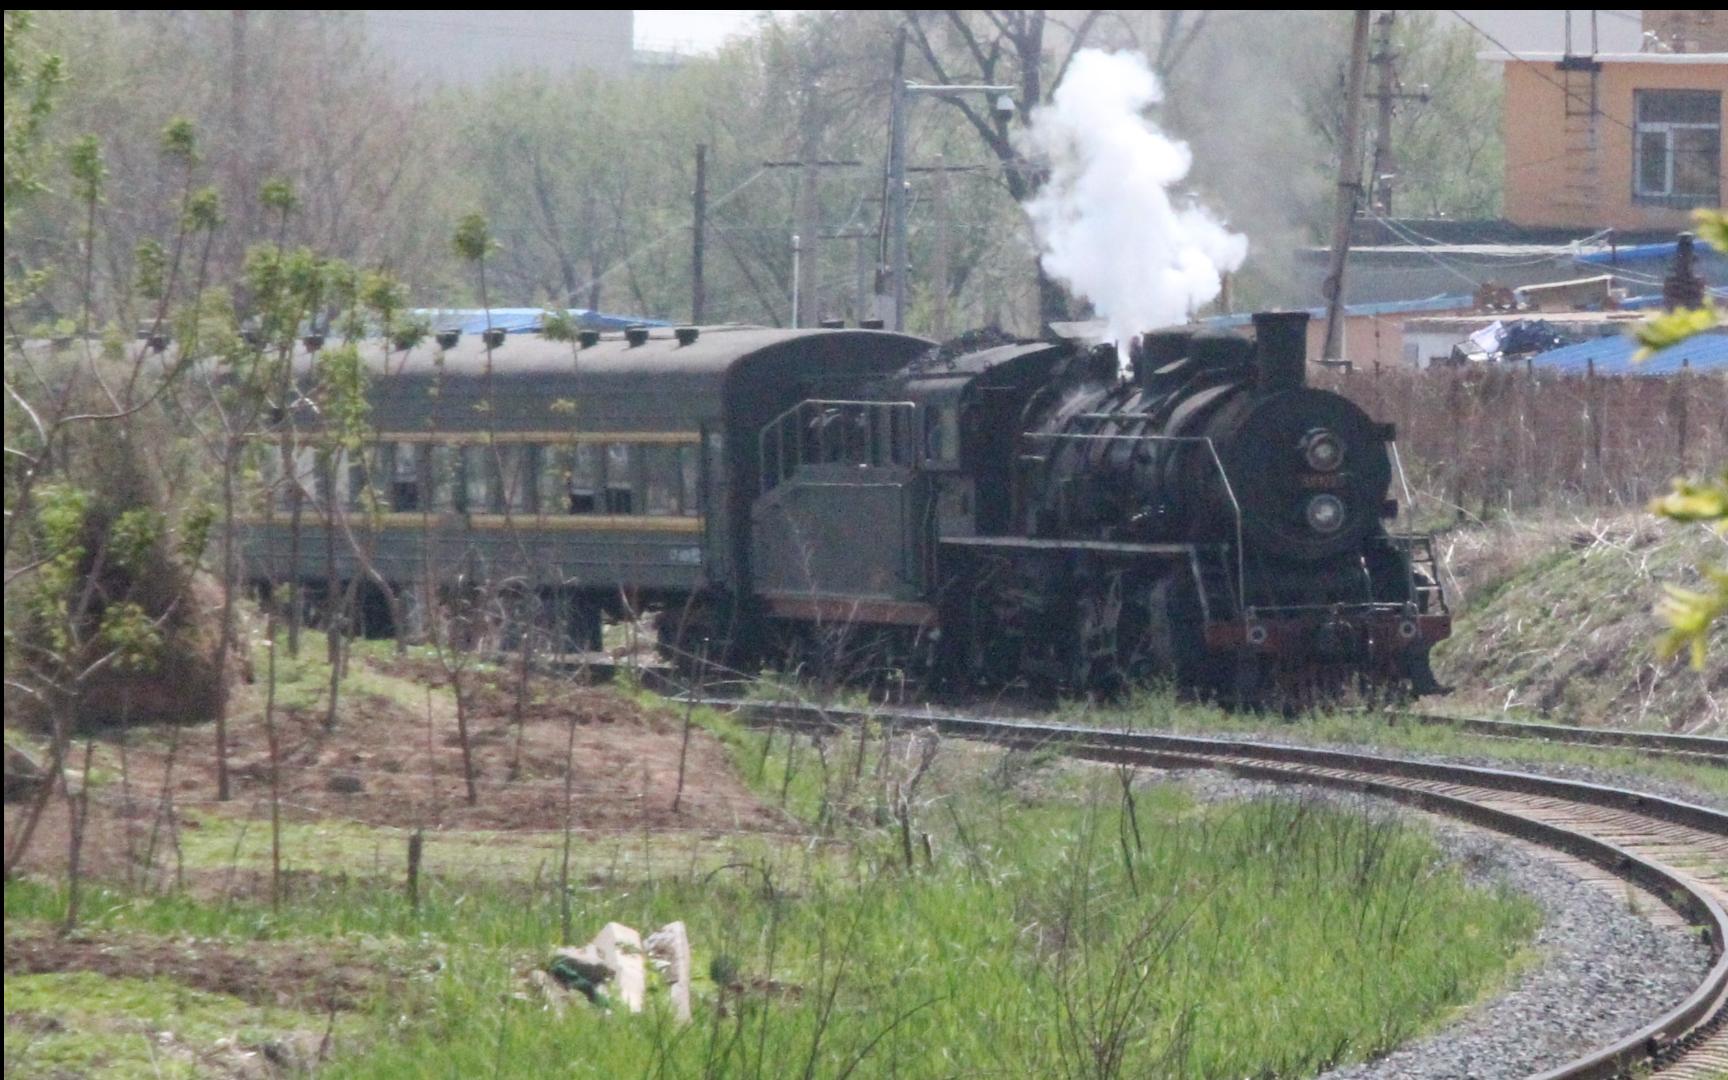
(604, 476)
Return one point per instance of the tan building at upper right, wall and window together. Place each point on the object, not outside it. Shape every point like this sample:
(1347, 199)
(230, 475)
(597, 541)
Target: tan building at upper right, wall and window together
(1615, 141)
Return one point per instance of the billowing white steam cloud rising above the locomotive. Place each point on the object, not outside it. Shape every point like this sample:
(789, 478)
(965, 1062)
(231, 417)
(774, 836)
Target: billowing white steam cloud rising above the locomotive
(1107, 224)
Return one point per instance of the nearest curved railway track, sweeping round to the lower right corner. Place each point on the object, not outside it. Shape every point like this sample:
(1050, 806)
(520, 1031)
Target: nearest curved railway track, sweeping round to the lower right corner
(1675, 851)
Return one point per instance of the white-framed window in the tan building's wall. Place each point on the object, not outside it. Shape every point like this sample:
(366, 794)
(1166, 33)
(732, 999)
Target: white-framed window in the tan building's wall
(1677, 148)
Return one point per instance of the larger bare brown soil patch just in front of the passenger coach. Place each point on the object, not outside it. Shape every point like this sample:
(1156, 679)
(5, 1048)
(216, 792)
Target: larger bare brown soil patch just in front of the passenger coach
(386, 765)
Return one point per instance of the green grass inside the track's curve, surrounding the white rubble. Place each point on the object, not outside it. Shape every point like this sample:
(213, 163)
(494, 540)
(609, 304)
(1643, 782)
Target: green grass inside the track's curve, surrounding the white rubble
(1051, 929)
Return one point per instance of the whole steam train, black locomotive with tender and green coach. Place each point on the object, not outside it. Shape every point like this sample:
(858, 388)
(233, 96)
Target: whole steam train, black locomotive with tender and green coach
(1022, 514)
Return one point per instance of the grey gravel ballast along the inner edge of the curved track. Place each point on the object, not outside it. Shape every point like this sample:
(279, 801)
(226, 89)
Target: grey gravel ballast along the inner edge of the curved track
(1601, 970)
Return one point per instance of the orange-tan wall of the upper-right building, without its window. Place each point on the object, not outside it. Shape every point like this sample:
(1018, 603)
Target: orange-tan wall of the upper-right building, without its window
(1549, 165)
